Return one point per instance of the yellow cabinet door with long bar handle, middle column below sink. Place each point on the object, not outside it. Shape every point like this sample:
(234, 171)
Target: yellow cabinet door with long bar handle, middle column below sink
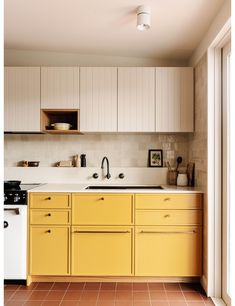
(102, 251)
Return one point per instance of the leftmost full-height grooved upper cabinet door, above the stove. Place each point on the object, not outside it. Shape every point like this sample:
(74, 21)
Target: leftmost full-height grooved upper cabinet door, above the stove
(22, 99)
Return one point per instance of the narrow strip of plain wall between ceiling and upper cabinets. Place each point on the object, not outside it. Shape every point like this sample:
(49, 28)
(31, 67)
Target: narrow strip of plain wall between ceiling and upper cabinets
(45, 58)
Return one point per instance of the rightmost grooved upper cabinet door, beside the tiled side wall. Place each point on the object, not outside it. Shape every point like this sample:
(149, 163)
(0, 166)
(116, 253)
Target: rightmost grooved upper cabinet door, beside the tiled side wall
(174, 99)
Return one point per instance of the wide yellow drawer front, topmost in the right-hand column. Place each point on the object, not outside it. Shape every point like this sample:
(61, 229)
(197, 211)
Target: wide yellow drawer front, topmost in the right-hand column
(169, 201)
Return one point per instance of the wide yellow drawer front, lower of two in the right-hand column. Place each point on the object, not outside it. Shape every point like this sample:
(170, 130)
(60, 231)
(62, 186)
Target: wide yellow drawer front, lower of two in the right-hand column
(168, 217)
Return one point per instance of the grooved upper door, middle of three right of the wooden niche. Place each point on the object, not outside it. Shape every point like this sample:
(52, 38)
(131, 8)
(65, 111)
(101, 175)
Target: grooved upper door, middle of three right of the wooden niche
(136, 99)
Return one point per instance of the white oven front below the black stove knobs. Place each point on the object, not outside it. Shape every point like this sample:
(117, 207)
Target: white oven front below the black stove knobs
(15, 241)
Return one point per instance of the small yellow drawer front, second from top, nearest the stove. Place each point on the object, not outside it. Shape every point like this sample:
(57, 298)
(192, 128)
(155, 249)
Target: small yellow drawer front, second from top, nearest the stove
(49, 217)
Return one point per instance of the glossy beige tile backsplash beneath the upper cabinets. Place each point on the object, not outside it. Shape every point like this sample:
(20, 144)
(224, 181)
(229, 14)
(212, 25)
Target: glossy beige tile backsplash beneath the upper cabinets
(127, 150)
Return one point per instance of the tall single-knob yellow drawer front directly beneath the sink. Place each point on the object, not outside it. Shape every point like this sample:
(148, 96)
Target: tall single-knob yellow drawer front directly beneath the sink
(102, 209)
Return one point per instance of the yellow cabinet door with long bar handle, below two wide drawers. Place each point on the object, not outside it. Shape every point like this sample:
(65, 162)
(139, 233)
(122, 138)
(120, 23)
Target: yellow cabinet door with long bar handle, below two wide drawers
(168, 251)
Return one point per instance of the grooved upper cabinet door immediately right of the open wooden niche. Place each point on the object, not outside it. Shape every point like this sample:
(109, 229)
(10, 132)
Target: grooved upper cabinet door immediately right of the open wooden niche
(98, 99)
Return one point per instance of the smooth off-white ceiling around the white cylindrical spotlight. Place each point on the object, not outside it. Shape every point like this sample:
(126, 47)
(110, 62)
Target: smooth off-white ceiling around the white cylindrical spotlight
(108, 27)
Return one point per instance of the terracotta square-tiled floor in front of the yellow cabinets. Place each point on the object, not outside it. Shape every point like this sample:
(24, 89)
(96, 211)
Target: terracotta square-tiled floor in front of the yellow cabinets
(106, 294)
